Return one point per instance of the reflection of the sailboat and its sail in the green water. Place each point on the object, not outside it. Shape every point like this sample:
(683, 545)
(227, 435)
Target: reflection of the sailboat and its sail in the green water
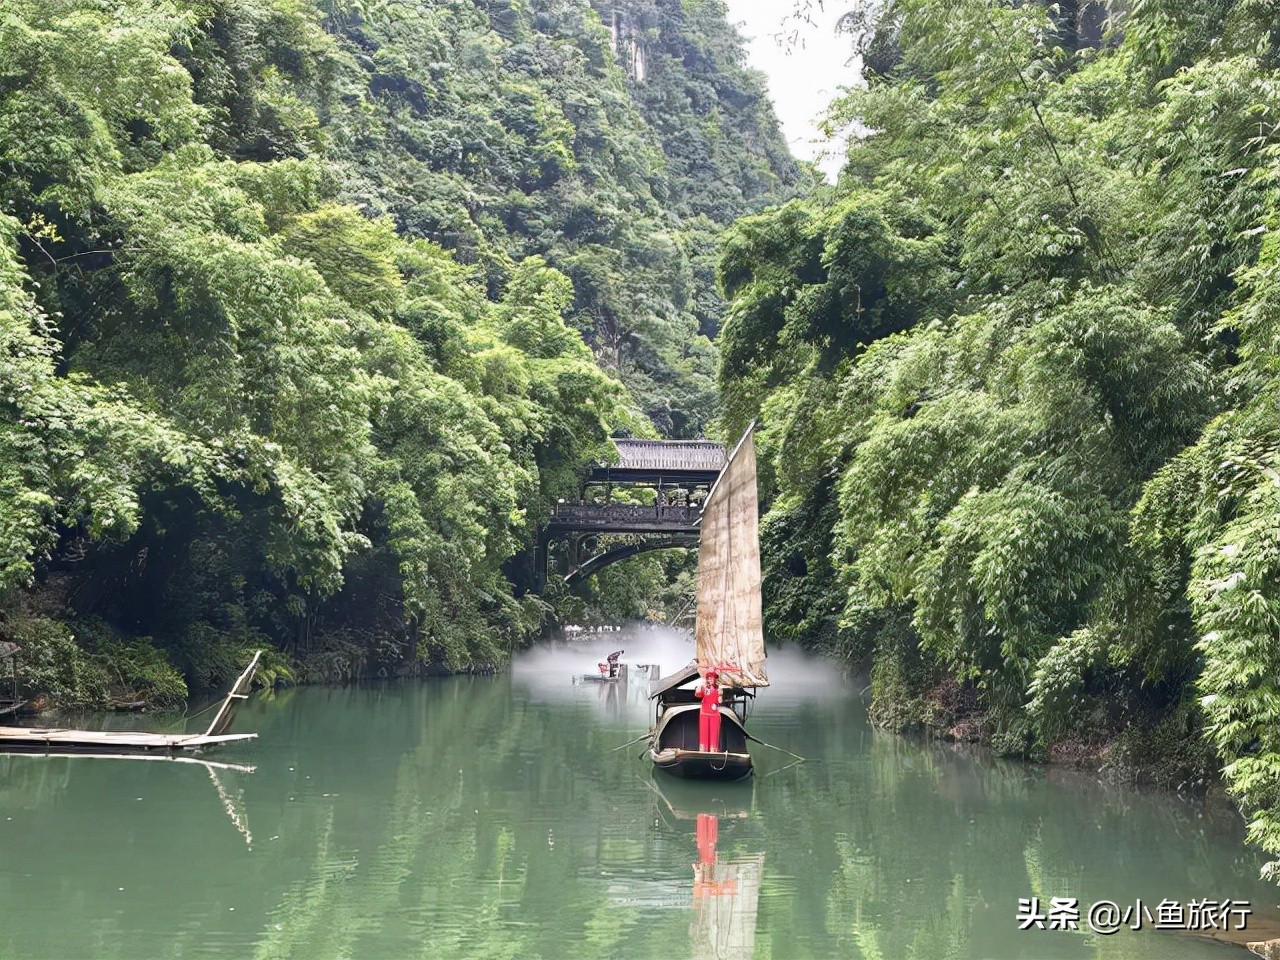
(726, 890)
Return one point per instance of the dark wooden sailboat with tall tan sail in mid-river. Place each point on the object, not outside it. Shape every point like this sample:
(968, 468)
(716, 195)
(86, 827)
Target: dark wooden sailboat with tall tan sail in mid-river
(729, 633)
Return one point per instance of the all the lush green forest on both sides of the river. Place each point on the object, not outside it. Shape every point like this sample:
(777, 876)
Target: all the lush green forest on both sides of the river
(309, 312)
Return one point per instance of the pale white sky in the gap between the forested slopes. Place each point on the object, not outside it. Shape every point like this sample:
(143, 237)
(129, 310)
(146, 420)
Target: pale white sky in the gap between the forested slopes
(803, 76)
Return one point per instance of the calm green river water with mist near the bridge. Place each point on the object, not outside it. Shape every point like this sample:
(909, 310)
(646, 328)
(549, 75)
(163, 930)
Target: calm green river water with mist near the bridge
(488, 819)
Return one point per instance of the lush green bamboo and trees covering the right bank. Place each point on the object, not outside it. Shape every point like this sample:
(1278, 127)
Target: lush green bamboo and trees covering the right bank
(1020, 383)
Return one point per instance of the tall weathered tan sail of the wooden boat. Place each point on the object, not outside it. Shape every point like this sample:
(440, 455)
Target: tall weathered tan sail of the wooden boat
(729, 633)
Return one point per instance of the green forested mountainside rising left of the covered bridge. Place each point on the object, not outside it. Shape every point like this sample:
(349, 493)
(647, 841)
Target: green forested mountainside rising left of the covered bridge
(309, 312)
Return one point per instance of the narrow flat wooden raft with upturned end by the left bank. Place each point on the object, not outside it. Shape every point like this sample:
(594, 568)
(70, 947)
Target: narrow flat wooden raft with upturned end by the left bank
(112, 743)
